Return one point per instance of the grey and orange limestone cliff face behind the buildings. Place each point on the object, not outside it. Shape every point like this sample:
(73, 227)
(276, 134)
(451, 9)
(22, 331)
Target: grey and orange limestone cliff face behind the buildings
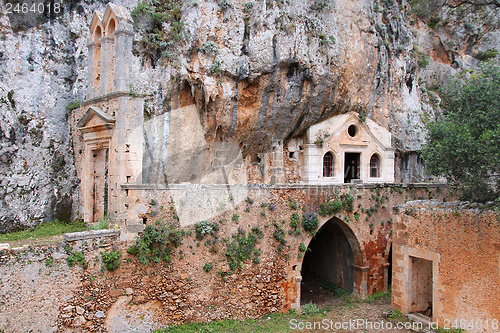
(257, 71)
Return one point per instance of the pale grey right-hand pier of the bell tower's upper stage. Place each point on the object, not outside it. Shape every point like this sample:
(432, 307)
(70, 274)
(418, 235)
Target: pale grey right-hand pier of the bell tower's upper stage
(124, 37)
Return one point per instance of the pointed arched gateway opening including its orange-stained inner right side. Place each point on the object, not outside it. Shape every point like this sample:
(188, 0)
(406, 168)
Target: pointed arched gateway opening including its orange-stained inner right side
(334, 256)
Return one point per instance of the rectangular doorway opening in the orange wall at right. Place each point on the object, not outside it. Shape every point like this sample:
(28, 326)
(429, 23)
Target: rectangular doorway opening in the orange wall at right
(421, 286)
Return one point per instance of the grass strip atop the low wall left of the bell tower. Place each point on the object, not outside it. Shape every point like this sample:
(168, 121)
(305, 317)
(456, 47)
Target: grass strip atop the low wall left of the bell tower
(44, 230)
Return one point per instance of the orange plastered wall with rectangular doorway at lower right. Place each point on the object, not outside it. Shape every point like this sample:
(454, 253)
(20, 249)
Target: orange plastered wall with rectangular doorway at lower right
(463, 245)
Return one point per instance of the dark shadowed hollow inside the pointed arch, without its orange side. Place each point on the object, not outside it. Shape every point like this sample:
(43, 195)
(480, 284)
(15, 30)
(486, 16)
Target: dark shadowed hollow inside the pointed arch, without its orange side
(328, 262)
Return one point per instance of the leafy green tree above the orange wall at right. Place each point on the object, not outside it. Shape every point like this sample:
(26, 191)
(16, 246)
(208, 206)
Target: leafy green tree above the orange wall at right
(465, 146)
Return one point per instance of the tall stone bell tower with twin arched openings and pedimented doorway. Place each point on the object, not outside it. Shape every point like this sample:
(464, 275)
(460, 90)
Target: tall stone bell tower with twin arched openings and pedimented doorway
(110, 121)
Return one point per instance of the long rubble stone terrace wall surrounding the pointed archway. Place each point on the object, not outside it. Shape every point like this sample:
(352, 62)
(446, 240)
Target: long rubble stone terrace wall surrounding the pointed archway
(74, 299)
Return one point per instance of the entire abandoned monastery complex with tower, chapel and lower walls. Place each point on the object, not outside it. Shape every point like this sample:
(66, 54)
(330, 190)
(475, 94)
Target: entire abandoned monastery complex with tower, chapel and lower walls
(341, 187)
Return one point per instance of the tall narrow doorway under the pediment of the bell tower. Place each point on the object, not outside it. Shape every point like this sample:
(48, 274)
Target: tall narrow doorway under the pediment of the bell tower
(99, 184)
